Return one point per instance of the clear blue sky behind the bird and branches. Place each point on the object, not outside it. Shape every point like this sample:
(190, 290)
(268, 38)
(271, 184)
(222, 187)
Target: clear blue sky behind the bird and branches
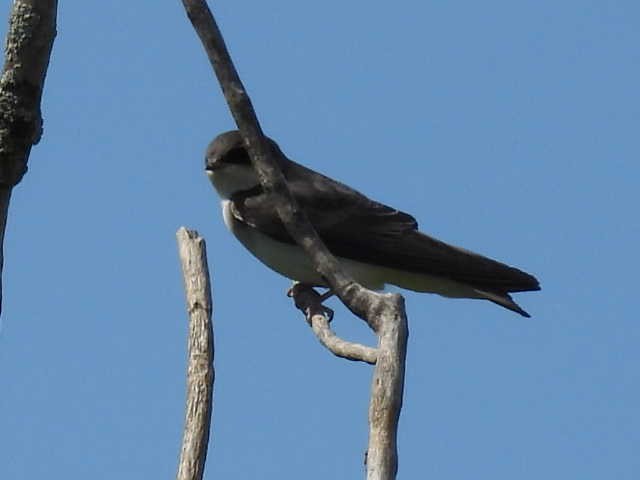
(510, 128)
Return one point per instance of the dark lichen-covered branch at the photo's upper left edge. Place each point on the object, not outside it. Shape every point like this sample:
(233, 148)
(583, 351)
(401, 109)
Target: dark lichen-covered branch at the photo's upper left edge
(32, 28)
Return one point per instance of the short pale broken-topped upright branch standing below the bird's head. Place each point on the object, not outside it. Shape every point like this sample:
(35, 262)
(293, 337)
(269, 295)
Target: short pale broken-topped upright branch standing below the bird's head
(200, 371)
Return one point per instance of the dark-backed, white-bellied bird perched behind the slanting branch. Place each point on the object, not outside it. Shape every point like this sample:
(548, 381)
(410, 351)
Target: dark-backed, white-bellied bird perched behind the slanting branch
(377, 244)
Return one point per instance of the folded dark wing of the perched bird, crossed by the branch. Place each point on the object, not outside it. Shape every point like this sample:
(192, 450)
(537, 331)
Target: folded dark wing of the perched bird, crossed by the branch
(353, 226)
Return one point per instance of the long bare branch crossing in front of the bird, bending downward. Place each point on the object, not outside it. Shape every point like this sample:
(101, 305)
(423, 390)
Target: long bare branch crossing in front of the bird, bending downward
(384, 313)
